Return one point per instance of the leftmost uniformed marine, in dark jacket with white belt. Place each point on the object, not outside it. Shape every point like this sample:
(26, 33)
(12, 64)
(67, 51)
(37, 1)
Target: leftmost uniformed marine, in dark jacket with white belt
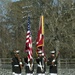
(16, 64)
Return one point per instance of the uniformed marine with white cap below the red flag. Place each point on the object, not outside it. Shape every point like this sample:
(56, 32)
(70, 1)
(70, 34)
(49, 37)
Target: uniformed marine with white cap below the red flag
(41, 66)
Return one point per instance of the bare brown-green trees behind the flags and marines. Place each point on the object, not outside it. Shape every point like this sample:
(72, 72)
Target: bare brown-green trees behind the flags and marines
(59, 26)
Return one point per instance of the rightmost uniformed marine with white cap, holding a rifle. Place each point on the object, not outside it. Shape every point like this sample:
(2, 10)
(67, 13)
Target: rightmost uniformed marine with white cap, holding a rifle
(52, 63)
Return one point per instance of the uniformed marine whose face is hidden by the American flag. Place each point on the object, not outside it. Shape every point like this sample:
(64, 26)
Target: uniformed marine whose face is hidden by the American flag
(29, 66)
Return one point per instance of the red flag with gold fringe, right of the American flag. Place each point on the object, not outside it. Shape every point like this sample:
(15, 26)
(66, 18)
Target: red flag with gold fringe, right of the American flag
(40, 37)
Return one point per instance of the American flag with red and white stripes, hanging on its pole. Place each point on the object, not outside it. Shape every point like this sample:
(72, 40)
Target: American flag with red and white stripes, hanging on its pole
(28, 47)
